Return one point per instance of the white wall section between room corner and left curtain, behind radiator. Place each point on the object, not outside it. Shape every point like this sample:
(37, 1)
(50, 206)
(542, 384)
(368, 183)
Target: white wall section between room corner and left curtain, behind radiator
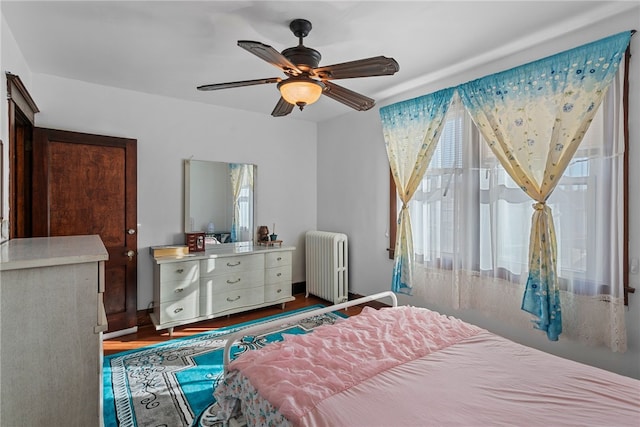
(353, 196)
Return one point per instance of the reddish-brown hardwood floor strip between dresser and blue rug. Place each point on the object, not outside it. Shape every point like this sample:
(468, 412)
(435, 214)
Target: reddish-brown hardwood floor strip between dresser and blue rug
(147, 335)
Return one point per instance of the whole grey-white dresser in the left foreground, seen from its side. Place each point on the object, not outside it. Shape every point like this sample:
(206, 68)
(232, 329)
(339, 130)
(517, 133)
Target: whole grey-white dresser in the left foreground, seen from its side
(51, 320)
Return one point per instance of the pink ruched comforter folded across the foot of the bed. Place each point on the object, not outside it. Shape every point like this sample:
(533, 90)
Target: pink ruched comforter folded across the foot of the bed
(372, 342)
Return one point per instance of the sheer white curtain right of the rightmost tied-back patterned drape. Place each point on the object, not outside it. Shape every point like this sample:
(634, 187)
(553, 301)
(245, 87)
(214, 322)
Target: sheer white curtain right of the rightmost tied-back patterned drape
(589, 207)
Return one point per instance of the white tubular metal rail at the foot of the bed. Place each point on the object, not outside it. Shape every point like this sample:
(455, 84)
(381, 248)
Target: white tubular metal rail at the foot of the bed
(301, 316)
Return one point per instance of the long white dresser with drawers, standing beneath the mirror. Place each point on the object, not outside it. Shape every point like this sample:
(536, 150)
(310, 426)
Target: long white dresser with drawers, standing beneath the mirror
(225, 279)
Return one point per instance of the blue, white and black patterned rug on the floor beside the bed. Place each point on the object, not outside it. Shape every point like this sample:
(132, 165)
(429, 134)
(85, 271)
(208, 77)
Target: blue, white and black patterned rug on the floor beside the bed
(171, 384)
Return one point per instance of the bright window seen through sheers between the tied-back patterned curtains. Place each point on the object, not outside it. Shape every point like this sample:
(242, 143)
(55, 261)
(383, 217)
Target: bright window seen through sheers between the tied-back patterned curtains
(469, 214)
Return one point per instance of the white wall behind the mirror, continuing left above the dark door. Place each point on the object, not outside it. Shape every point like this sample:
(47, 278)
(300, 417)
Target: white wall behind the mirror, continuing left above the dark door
(168, 131)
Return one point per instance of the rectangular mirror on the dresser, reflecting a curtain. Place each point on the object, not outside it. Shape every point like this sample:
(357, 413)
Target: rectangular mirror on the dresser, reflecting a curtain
(219, 200)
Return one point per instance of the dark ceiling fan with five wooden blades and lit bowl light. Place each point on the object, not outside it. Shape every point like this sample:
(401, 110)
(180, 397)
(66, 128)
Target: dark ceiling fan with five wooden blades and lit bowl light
(305, 81)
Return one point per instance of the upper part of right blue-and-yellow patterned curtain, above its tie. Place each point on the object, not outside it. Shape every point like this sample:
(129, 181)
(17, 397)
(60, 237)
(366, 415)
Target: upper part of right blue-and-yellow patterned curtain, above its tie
(531, 102)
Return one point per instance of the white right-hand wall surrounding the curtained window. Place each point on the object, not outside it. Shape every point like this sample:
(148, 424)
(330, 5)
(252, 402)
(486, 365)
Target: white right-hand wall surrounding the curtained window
(353, 193)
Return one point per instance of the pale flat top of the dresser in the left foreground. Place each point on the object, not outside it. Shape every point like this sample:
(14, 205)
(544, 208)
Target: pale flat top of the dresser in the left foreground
(49, 251)
